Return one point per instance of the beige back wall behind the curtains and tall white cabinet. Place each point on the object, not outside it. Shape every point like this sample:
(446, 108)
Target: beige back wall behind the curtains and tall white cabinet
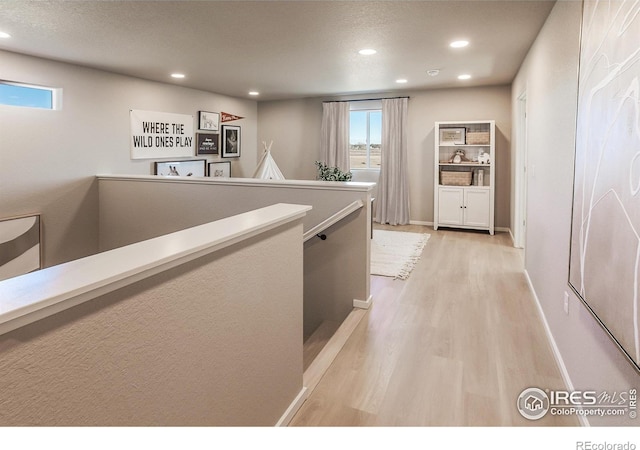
(294, 126)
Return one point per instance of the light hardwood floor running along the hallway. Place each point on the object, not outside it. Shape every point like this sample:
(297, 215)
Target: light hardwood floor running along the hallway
(454, 345)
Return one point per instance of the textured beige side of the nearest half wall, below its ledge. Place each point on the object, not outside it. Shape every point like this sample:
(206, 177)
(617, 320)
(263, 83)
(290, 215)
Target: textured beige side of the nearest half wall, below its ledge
(214, 341)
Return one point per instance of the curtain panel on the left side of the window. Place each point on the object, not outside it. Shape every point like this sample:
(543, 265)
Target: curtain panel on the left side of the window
(334, 140)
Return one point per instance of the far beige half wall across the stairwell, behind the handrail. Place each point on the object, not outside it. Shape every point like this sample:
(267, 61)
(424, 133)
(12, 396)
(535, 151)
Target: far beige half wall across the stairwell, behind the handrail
(336, 270)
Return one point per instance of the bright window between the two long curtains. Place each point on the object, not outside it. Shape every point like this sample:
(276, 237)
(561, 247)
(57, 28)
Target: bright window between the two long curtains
(365, 138)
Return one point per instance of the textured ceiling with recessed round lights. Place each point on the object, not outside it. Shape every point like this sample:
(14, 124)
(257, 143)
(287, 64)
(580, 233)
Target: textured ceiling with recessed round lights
(283, 49)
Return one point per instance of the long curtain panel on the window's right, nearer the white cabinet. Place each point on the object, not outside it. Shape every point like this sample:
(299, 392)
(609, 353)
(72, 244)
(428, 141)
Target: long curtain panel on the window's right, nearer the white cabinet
(392, 201)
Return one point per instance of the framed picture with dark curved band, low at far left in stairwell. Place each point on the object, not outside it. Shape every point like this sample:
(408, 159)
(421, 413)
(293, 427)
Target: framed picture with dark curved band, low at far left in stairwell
(20, 242)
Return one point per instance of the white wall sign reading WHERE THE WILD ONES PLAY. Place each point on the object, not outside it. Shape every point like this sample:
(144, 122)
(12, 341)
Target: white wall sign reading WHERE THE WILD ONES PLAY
(160, 135)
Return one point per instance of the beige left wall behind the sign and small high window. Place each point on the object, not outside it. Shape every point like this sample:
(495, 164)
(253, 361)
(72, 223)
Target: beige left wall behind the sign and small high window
(48, 159)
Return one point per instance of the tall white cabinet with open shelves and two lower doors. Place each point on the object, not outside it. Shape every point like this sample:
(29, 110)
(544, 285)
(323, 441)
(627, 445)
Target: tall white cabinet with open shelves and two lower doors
(464, 179)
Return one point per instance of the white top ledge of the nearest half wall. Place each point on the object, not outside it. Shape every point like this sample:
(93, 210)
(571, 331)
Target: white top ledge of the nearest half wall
(39, 294)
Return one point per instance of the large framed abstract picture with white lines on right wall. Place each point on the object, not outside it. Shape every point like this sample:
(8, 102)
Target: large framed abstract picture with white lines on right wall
(605, 244)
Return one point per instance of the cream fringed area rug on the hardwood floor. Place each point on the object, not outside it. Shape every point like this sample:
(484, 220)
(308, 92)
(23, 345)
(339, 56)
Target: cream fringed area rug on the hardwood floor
(395, 253)
